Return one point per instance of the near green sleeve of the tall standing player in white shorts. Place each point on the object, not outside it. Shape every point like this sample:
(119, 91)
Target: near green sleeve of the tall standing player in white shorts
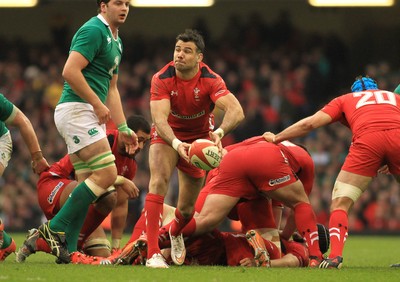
(87, 42)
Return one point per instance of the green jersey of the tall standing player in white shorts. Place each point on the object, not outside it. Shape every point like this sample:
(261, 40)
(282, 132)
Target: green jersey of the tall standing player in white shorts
(95, 42)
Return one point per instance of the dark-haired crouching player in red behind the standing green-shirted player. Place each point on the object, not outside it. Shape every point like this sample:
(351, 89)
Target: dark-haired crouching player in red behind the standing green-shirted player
(55, 185)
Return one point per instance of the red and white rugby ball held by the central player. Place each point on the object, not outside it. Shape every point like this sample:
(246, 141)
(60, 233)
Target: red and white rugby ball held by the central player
(204, 154)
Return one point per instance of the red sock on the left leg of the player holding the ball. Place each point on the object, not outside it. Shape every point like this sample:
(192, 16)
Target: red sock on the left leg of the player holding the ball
(153, 209)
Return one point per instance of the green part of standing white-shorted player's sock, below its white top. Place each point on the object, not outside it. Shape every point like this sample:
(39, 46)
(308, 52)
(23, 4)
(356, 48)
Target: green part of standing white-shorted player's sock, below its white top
(76, 205)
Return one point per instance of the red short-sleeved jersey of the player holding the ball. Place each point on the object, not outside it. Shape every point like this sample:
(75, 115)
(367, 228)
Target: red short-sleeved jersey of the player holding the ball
(192, 101)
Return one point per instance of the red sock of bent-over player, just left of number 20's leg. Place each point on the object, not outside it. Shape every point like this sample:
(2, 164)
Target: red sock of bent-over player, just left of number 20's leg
(306, 224)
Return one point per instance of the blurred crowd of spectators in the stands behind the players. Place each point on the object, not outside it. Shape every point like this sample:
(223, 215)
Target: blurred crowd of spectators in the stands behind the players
(279, 74)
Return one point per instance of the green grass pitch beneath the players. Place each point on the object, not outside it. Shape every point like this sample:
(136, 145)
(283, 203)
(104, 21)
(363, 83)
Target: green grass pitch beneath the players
(366, 258)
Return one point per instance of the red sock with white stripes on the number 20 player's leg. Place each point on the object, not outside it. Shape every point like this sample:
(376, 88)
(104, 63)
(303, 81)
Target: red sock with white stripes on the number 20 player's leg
(338, 230)
